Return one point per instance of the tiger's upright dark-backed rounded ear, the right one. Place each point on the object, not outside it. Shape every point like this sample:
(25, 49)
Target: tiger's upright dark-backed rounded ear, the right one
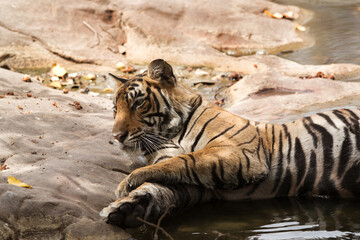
(161, 71)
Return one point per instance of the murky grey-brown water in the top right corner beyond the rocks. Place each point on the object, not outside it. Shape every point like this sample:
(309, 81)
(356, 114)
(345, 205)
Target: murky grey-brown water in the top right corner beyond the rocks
(335, 29)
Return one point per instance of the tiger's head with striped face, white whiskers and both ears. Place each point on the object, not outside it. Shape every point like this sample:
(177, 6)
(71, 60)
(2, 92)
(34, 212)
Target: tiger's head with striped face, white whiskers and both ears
(149, 109)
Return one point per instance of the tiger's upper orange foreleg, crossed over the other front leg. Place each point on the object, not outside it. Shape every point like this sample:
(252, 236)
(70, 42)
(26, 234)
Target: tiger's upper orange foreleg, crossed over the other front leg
(209, 168)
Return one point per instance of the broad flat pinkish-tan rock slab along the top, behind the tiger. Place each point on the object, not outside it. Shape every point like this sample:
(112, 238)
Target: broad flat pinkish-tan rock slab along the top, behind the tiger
(73, 33)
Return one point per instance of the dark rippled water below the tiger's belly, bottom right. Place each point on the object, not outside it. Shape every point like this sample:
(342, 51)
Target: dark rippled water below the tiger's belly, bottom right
(282, 218)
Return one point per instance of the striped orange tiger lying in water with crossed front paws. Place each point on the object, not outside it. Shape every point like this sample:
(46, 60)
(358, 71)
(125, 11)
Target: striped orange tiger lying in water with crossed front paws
(196, 151)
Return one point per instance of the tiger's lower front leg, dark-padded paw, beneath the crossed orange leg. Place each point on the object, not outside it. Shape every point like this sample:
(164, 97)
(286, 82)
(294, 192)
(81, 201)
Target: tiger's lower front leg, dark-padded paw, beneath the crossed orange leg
(150, 201)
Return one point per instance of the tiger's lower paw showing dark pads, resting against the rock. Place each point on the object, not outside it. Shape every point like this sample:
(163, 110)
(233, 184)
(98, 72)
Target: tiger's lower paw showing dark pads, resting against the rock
(125, 211)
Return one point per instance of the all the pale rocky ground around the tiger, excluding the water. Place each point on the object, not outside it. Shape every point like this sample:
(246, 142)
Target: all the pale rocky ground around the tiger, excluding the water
(65, 153)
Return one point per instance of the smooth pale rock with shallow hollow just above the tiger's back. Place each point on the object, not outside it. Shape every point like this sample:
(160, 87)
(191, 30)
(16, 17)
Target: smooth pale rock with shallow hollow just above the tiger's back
(275, 97)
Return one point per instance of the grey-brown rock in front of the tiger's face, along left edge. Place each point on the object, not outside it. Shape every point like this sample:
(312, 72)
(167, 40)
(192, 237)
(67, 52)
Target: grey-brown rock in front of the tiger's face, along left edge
(74, 171)
